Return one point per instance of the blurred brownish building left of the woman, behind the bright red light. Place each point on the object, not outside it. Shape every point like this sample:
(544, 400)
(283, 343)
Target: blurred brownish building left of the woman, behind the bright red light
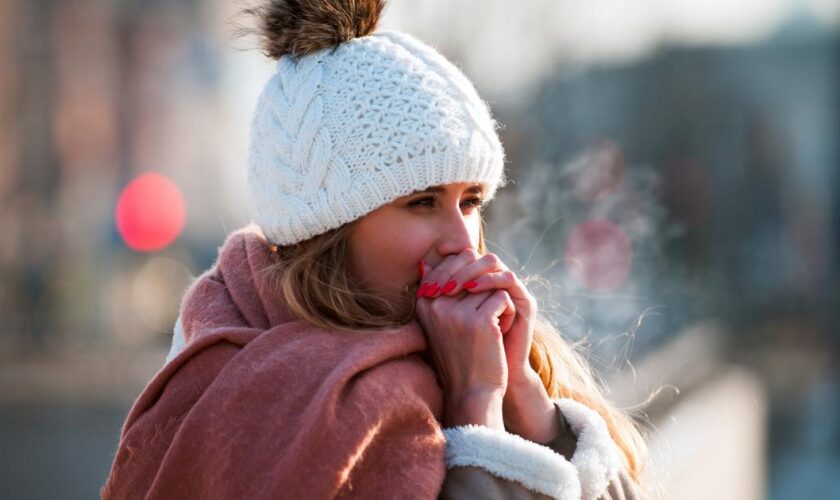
(93, 94)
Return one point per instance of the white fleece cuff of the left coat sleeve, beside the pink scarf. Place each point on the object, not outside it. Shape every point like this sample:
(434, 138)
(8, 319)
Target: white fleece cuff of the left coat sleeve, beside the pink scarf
(513, 458)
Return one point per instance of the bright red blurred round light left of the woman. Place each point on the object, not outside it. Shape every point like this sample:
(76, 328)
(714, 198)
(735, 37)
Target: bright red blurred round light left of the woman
(150, 212)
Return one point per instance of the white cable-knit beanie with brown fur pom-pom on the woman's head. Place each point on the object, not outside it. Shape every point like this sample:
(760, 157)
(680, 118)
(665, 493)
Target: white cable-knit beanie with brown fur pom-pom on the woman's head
(354, 119)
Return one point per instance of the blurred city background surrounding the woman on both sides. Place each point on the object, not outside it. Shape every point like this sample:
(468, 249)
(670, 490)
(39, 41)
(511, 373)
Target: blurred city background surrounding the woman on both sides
(676, 168)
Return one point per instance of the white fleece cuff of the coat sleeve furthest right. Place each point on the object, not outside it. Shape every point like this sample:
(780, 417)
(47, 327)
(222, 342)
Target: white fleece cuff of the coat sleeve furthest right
(596, 458)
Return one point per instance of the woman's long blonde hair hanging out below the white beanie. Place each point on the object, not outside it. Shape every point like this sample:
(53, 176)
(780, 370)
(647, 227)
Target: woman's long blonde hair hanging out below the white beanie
(312, 277)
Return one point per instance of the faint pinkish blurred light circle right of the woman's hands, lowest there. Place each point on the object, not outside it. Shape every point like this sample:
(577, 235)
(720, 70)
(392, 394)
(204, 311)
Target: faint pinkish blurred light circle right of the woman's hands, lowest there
(599, 254)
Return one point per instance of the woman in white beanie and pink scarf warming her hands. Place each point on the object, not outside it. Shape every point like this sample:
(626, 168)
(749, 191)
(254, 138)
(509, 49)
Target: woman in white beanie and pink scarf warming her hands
(359, 340)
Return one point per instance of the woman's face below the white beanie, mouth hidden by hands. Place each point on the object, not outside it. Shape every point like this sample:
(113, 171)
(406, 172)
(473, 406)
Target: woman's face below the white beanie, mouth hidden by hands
(386, 245)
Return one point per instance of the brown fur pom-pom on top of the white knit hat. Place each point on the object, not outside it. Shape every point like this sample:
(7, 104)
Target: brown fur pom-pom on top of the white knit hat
(300, 27)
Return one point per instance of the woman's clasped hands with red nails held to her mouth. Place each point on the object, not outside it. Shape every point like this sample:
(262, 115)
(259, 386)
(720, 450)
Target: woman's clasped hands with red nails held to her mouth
(479, 318)
